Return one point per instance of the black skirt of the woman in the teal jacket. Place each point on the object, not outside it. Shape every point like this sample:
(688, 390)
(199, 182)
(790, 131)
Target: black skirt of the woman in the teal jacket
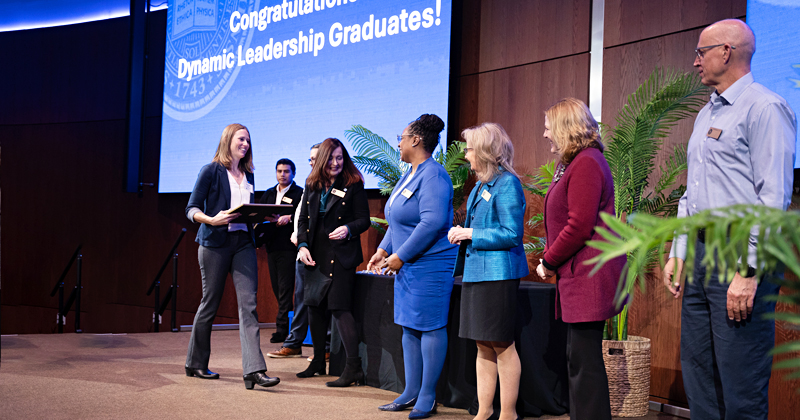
(489, 310)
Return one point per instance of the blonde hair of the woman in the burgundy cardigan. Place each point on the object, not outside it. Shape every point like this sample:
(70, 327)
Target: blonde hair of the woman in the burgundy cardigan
(573, 128)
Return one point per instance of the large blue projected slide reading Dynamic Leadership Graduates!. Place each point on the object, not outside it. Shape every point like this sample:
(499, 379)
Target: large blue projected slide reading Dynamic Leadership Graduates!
(296, 72)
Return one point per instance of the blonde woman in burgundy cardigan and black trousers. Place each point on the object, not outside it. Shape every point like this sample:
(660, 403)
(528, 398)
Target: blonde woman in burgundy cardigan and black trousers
(582, 188)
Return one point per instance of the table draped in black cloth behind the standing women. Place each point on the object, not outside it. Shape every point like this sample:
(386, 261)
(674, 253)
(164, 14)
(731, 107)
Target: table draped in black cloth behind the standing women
(540, 341)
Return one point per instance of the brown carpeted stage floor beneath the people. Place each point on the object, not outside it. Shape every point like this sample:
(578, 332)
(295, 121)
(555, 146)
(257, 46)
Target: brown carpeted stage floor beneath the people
(87, 376)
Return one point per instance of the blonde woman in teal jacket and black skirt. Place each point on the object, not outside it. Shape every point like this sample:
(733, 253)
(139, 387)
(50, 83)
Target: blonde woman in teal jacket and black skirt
(492, 260)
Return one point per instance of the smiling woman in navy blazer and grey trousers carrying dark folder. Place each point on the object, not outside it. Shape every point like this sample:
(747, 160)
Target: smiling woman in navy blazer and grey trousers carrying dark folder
(225, 248)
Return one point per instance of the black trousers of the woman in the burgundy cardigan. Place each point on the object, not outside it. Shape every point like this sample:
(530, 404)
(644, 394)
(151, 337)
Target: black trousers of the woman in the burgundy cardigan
(588, 382)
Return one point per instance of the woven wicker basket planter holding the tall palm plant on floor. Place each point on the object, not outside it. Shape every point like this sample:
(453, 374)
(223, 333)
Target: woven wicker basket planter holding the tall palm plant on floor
(628, 368)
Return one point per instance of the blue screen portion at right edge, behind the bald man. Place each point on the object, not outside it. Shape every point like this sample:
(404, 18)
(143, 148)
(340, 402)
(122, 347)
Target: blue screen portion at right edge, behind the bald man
(776, 63)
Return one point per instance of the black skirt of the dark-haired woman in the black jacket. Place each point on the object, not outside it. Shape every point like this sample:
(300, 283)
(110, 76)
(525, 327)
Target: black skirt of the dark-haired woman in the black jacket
(330, 285)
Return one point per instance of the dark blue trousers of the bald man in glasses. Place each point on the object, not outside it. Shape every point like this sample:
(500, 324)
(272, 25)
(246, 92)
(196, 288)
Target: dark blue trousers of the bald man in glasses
(725, 364)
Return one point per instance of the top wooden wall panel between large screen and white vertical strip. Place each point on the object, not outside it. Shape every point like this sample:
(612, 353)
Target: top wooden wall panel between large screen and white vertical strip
(519, 32)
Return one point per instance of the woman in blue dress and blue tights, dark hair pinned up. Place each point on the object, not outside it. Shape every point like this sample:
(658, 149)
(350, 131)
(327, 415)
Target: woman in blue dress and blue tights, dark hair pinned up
(420, 213)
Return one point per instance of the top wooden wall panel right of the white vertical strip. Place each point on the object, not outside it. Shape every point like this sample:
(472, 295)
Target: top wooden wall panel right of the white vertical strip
(631, 21)
